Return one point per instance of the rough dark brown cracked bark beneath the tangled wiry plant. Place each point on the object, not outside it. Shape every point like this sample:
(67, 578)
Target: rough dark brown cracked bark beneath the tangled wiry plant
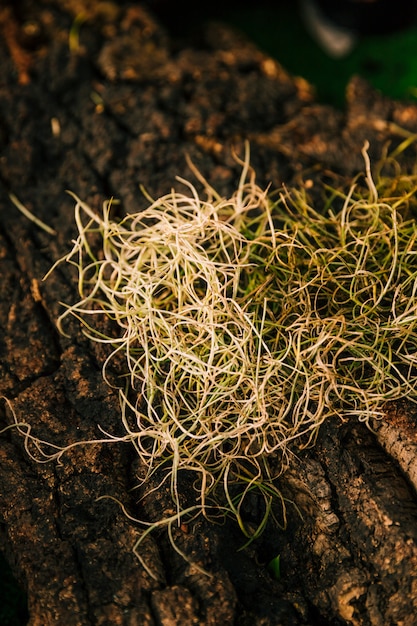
(95, 98)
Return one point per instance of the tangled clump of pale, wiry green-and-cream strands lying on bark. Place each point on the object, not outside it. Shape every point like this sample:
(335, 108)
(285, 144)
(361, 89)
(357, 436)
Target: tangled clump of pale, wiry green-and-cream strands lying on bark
(246, 322)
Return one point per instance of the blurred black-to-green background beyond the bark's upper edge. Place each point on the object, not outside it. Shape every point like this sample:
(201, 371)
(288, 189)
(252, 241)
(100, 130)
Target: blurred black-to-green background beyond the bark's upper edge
(388, 62)
